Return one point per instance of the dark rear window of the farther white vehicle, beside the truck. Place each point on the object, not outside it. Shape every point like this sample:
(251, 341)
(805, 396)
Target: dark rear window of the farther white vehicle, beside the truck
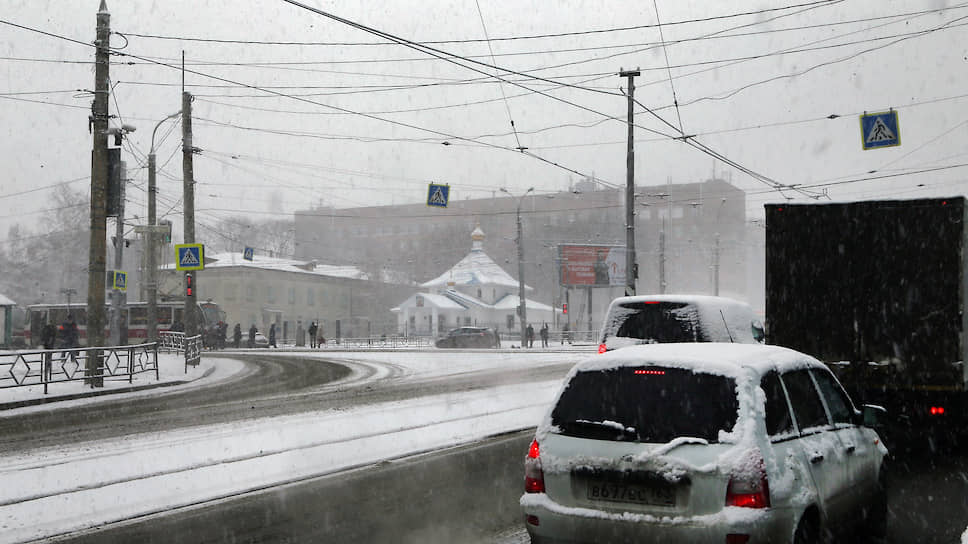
(659, 322)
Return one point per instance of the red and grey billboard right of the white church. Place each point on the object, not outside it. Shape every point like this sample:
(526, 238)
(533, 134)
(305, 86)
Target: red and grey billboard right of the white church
(592, 266)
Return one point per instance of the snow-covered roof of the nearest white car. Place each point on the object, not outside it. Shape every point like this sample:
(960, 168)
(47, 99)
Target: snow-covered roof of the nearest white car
(708, 357)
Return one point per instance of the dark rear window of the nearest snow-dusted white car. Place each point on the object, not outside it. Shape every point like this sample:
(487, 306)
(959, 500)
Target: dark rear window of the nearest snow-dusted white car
(646, 404)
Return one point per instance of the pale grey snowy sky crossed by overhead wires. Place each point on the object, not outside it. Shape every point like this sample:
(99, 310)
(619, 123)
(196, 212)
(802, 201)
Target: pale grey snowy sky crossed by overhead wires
(266, 155)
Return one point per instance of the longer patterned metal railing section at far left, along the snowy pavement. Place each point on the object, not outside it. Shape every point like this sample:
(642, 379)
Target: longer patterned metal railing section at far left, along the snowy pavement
(44, 367)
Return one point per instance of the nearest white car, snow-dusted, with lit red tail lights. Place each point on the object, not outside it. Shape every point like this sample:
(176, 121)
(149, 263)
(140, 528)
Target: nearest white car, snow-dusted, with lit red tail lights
(703, 442)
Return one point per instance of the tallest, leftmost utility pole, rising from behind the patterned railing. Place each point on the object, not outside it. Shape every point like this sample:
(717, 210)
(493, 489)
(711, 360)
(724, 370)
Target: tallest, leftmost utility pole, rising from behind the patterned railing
(99, 184)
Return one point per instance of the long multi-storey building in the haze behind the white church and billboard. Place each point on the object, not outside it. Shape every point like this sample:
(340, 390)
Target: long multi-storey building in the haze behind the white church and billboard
(689, 238)
